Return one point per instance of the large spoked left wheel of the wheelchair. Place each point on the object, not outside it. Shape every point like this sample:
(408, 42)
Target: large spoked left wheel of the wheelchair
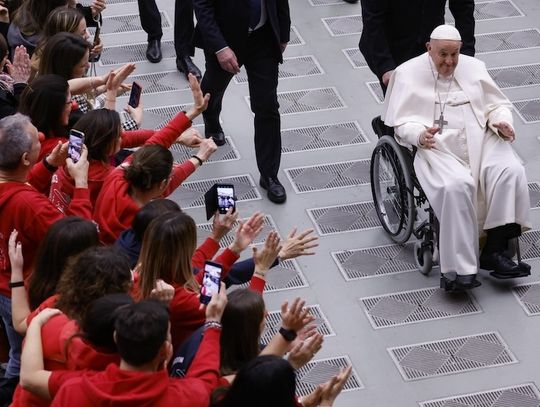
(392, 189)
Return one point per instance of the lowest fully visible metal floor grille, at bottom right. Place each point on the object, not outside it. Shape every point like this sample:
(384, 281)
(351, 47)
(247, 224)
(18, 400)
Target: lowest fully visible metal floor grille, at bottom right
(451, 356)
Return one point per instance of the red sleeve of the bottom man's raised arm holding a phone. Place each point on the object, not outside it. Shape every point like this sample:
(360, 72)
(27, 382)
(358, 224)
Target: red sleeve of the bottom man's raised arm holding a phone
(205, 365)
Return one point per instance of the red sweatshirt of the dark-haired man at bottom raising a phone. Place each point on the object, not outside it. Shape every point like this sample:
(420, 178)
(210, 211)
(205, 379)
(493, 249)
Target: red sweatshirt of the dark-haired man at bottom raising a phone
(115, 387)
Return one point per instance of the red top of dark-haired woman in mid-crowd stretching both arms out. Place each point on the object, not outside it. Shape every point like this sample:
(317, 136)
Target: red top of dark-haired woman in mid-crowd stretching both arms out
(115, 209)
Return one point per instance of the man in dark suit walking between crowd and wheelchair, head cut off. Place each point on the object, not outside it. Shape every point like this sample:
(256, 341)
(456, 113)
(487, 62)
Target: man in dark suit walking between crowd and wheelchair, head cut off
(253, 33)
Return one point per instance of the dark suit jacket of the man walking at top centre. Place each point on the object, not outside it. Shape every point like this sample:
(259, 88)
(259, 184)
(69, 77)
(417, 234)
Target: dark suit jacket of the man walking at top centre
(222, 23)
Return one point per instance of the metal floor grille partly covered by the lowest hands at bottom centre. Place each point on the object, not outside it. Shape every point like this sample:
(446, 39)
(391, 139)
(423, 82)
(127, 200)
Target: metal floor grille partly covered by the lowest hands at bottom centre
(320, 371)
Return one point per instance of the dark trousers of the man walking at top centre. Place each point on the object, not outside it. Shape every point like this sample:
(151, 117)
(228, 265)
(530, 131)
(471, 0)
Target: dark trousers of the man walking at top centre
(261, 64)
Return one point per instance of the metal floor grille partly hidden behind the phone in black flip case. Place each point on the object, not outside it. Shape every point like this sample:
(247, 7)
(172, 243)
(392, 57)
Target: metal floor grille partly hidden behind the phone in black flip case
(191, 194)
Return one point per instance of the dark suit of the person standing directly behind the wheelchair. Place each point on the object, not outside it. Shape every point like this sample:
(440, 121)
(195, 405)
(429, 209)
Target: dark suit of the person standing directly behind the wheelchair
(395, 31)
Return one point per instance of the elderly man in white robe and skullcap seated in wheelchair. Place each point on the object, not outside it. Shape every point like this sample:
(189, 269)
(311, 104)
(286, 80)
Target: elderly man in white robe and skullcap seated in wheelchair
(446, 108)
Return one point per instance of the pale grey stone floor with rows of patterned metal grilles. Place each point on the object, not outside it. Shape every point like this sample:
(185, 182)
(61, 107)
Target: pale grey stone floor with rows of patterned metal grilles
(375, 310)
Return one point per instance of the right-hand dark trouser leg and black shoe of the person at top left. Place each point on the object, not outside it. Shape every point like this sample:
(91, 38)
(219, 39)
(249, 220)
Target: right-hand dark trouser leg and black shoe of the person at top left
(183, 38)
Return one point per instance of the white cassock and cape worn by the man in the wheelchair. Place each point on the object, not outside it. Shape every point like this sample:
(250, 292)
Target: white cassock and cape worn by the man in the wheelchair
(472, 177)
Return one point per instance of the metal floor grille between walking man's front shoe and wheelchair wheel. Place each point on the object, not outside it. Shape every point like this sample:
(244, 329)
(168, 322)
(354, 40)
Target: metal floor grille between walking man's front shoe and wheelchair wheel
(329, 176)
